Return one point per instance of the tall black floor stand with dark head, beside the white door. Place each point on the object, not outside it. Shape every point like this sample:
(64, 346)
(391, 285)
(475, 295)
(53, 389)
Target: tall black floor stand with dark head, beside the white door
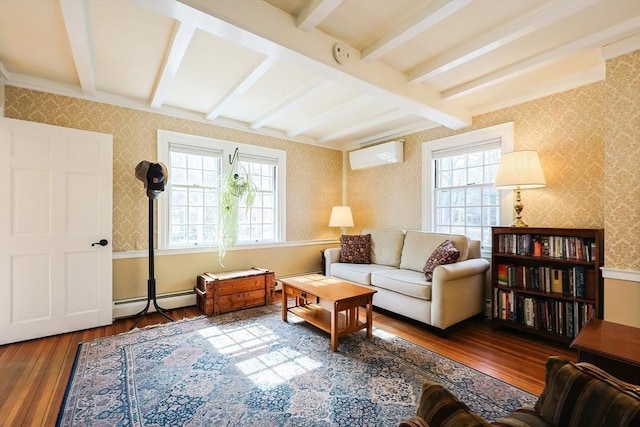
(154, 177)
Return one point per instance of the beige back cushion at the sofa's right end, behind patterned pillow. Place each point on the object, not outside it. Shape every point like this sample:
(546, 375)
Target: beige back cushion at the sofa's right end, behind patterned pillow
(419, 245)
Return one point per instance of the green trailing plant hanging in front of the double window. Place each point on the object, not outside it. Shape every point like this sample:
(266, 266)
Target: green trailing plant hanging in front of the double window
(235, 187)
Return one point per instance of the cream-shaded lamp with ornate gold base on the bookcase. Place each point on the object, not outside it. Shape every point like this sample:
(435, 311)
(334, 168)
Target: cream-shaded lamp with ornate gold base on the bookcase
(519, 170)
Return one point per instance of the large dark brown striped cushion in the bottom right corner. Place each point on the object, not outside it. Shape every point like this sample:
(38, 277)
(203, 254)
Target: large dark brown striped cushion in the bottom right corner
(580, 394)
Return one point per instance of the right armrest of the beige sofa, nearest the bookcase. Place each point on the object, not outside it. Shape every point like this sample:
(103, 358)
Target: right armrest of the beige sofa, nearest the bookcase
(458, 291)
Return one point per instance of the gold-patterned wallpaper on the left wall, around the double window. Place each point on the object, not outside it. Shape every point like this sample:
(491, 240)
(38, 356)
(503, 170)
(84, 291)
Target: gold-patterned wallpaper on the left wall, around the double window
(314, 174)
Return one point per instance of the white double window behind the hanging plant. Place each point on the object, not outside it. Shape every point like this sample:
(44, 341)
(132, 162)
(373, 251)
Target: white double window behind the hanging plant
(189, 211)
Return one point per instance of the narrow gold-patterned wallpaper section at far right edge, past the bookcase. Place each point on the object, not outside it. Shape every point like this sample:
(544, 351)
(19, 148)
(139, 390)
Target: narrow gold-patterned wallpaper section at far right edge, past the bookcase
(622, 163)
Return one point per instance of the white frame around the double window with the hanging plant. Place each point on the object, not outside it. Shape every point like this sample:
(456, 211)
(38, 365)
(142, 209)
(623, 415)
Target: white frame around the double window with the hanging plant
(227, 148)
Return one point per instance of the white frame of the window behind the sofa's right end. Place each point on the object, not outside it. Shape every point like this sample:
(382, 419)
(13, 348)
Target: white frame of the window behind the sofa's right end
(469, 139)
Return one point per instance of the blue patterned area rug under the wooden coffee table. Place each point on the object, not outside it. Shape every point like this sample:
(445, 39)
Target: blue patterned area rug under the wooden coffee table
(249, 368)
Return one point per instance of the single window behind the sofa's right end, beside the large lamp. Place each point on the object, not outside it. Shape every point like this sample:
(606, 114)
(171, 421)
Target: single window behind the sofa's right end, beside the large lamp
(459, 172)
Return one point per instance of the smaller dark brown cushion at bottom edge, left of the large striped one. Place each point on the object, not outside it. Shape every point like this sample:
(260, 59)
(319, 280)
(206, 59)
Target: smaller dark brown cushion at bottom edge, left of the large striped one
(438, 407)
